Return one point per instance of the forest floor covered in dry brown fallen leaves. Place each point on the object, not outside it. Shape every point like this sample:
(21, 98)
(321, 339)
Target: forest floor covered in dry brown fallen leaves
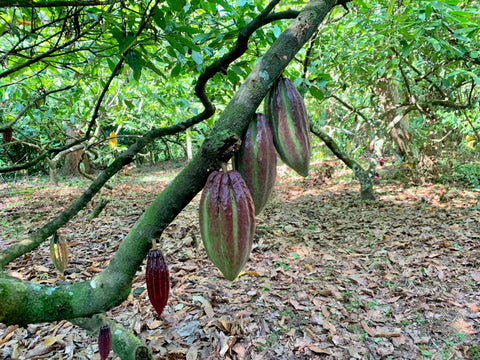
(329, 277)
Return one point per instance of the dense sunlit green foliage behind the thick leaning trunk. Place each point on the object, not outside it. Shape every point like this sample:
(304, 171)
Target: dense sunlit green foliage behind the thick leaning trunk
(404, 74)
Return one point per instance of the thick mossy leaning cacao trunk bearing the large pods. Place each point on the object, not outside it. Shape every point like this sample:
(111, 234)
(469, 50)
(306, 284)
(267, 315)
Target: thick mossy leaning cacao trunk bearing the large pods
(25, 302)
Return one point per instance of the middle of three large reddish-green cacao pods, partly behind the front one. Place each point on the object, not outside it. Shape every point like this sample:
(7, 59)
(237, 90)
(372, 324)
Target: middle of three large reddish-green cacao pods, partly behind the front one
(256, 161)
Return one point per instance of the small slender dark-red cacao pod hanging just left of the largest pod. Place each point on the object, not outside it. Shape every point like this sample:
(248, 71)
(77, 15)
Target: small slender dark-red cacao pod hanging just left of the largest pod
(158, 281)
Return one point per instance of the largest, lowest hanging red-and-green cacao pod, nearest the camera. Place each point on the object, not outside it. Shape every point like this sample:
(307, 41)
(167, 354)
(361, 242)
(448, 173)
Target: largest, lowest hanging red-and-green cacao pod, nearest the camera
(227, 221)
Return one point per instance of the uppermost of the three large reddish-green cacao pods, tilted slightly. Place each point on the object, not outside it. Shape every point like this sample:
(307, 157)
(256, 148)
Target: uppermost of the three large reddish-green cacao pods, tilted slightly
(285, 111)
